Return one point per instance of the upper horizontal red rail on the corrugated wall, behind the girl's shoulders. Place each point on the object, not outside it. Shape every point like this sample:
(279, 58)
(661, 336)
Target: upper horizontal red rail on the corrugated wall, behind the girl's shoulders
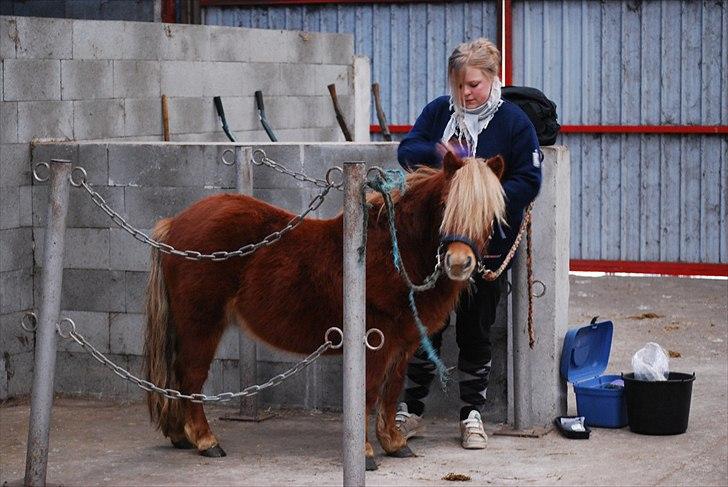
(606, 129)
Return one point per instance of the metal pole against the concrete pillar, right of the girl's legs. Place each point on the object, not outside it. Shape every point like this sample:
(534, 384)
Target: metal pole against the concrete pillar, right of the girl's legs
(522, 417)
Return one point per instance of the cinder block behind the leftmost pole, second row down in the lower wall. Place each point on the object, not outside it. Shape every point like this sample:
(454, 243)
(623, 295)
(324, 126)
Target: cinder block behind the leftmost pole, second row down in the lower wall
(82, 212)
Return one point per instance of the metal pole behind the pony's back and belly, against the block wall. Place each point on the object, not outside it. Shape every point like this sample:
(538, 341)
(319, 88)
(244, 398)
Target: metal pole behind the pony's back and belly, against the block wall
(247, 352)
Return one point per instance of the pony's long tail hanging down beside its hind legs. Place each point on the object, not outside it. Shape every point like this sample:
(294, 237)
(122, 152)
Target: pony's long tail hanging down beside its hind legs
(159, 346)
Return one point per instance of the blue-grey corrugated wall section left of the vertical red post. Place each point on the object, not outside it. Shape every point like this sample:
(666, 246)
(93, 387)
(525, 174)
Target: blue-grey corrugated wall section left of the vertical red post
(408, 44)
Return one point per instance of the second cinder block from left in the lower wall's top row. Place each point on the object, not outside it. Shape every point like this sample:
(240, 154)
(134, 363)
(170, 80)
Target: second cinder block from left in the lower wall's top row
(155, 165)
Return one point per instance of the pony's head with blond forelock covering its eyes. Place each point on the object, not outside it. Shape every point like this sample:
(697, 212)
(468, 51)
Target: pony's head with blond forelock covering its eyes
(474, 200)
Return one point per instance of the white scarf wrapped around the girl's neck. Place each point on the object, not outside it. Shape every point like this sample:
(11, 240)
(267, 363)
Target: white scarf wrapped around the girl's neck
(466, 123)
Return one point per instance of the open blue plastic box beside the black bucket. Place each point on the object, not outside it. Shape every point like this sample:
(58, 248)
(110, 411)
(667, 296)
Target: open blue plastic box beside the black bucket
(583, 359)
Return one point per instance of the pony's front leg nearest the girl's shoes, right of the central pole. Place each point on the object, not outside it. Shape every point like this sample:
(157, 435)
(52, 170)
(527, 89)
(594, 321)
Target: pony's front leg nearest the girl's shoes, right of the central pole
(392, 441)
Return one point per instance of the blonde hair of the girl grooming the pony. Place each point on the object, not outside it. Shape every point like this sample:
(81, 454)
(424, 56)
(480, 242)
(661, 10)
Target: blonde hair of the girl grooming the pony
(480, 53)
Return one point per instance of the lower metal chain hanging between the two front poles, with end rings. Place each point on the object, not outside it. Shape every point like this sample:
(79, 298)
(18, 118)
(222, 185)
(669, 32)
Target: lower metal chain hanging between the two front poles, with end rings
(174, 394)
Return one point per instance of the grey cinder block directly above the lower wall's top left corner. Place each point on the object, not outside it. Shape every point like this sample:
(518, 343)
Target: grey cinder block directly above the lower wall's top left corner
(45, 120)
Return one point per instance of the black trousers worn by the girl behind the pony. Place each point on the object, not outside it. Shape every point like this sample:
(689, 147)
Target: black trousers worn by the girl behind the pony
(475, 316)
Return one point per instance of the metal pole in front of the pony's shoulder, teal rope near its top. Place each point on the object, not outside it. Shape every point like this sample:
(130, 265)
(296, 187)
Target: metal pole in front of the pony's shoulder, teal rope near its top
(354, 435)
